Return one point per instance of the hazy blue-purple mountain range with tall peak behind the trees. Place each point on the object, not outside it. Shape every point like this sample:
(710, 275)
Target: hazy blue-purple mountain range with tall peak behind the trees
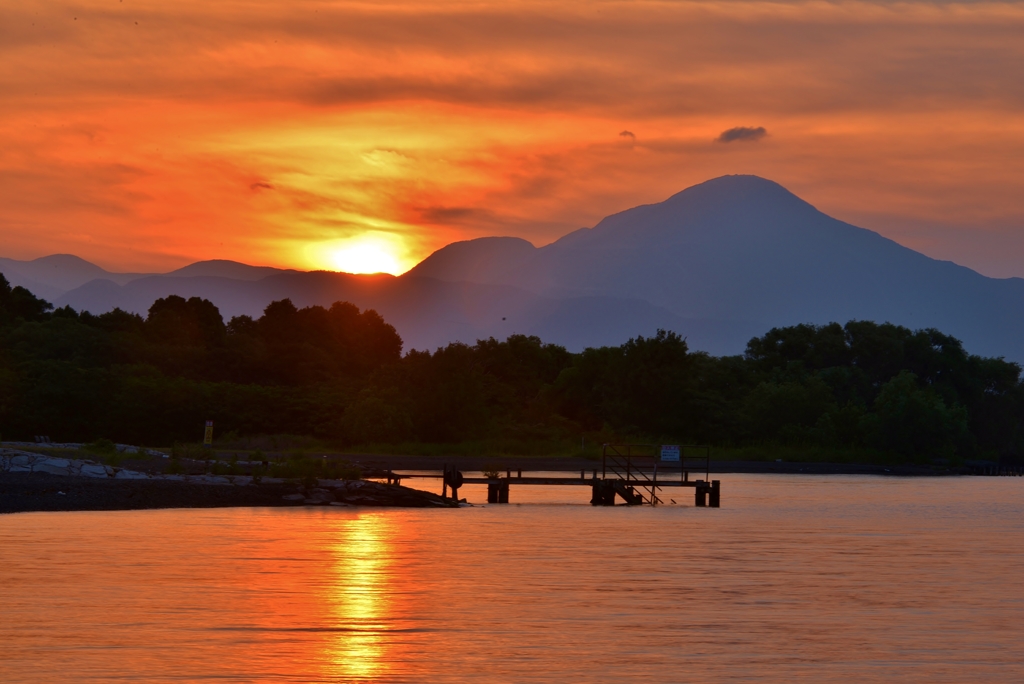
(719, 264)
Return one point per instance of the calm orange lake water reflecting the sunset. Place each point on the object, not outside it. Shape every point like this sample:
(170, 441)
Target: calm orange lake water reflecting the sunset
(796, 578)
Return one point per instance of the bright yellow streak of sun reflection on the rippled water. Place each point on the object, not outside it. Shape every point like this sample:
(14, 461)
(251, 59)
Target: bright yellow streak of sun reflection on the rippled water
(360, 601)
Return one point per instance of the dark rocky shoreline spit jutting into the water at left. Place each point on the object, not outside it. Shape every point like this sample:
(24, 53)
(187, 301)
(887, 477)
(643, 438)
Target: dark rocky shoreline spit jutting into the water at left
(40, 483)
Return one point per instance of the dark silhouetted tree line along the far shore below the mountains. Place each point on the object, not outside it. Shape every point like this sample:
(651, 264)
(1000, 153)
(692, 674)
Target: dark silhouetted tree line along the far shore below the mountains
(338, 374)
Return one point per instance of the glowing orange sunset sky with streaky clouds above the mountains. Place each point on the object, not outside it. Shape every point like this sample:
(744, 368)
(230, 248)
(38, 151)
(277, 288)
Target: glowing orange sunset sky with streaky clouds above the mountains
(146, 136)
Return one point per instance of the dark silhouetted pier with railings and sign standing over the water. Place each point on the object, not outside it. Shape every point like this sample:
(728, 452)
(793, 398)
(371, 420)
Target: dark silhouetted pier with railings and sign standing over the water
(634, 474)
